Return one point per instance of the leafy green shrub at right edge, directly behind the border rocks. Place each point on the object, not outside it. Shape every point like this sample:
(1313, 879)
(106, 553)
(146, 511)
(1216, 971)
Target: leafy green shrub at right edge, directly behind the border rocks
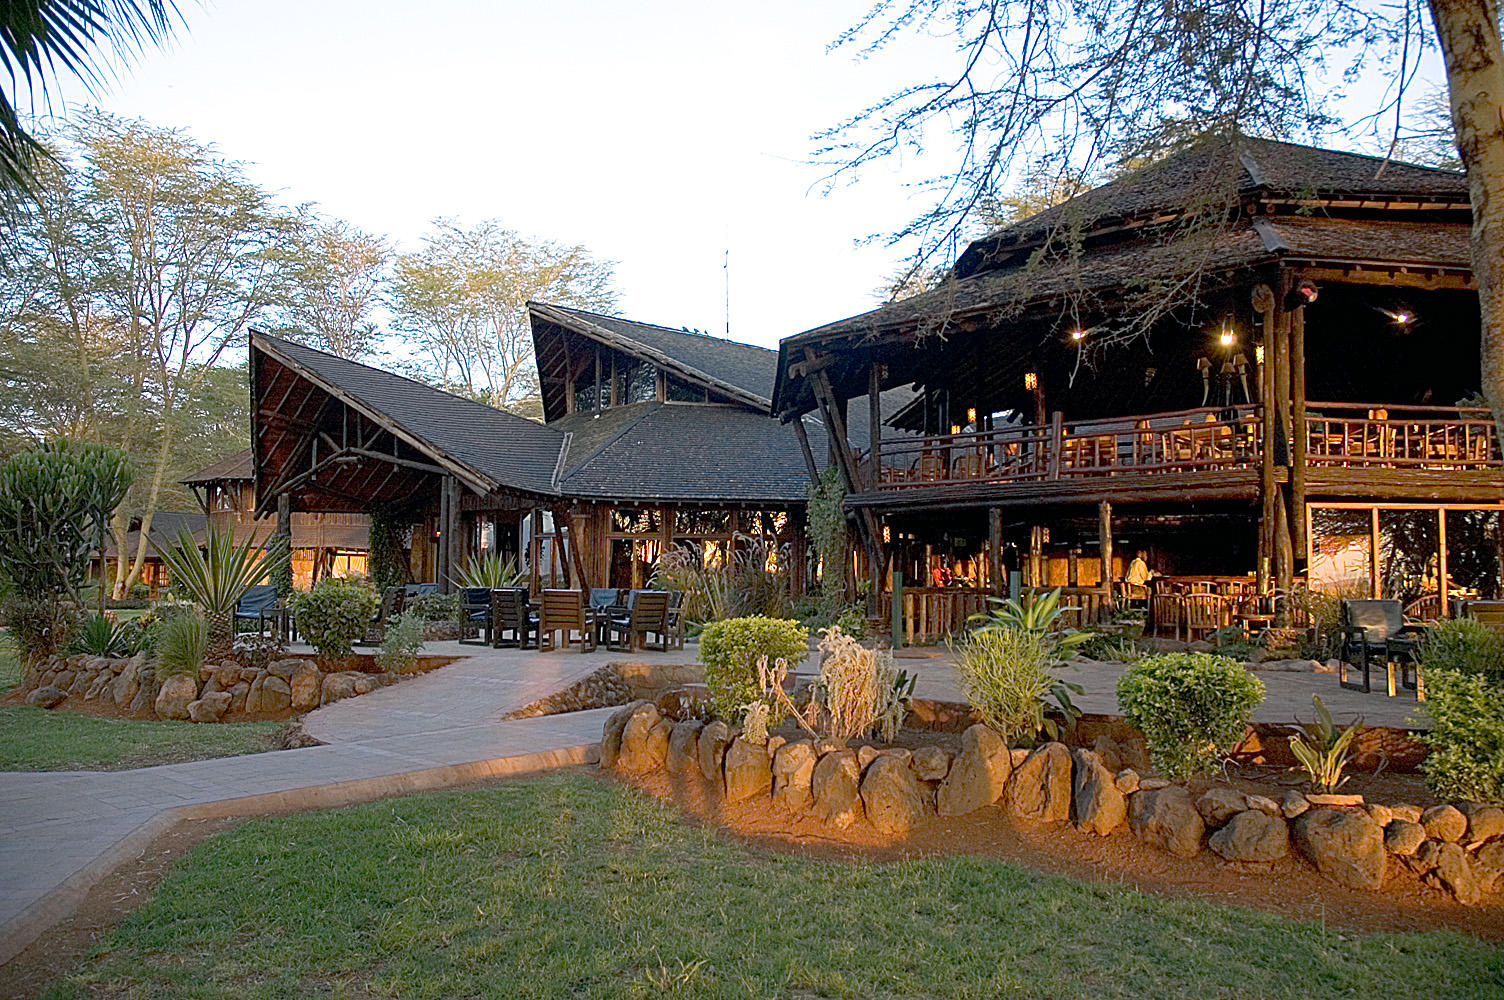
(1467, 736)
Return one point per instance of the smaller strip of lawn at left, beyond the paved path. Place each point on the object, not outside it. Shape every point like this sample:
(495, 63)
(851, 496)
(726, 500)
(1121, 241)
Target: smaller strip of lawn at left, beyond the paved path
(41, 741)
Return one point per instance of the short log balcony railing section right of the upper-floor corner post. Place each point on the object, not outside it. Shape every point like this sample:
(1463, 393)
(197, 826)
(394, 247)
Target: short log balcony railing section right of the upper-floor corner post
(1401, 437)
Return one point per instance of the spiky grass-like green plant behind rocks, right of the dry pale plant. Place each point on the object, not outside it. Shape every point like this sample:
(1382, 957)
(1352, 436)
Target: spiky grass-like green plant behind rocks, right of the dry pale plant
(1005, 676)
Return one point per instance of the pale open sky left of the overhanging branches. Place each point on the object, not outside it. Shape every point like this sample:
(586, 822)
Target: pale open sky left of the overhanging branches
(661, 135)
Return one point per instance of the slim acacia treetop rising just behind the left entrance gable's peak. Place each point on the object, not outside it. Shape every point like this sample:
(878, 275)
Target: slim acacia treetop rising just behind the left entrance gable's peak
(335, 282)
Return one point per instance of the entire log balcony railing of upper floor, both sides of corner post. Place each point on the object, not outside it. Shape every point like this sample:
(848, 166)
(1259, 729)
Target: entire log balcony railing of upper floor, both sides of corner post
(1190, 441)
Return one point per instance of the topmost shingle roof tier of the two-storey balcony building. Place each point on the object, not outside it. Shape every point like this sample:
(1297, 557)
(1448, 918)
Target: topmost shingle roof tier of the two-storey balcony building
(1211, 174)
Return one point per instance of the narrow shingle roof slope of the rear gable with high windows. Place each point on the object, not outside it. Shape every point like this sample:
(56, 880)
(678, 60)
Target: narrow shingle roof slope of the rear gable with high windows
(745, 368)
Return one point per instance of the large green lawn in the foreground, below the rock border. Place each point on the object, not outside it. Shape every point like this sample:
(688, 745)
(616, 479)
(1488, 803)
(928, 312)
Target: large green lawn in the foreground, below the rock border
(569, 886)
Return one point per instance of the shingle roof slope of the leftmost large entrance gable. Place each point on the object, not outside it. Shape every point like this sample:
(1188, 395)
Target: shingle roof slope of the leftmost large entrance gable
(506, 449)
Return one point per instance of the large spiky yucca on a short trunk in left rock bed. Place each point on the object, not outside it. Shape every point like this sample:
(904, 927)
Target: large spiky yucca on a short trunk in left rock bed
(217, 577)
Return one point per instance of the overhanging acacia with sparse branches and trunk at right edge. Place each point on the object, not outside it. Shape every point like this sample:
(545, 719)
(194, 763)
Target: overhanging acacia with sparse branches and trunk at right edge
(1076, 88)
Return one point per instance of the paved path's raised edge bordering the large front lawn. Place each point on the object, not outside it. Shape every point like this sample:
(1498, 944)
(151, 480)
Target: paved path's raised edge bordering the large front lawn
(19, 933)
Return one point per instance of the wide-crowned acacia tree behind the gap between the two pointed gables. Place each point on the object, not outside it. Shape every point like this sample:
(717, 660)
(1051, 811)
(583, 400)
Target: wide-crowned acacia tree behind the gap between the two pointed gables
(464, 295)
